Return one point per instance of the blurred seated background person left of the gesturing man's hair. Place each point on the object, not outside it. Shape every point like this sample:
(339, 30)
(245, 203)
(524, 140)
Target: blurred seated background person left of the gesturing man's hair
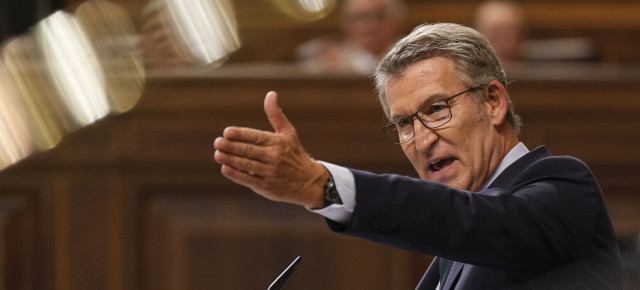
(369, 28)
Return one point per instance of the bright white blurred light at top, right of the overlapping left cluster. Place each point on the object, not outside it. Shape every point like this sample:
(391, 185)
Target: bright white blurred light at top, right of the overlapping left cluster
(207, 28)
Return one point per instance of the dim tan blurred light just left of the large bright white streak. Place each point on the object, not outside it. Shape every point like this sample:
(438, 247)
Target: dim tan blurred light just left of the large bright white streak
(35, 91)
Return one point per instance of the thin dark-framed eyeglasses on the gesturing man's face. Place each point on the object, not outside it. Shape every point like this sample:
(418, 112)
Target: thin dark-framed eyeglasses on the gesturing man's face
(434, 115)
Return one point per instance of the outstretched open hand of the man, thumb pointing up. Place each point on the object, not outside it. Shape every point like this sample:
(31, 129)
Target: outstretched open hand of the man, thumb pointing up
(272, 164)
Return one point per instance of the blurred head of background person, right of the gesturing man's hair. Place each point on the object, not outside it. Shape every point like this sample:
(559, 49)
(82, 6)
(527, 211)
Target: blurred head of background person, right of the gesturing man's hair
(503, 23)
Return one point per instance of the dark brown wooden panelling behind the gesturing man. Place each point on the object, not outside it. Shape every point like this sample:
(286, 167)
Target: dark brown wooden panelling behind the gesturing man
(136, 202)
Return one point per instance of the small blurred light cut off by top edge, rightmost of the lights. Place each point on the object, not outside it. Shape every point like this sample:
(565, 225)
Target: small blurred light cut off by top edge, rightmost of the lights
(306, 10)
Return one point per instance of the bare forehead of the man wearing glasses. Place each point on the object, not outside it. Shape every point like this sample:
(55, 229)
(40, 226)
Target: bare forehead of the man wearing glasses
(425, 80)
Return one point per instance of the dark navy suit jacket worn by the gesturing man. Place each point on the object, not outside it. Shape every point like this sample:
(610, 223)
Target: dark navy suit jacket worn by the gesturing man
(542, 224)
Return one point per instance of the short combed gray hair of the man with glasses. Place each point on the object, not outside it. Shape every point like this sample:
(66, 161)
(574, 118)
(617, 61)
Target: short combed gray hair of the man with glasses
(475, 59)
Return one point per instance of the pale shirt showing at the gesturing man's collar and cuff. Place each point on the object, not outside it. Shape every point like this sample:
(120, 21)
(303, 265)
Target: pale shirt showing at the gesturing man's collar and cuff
(345, 185)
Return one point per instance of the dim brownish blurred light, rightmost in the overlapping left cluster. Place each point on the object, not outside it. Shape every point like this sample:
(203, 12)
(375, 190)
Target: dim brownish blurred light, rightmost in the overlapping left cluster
(115, 40)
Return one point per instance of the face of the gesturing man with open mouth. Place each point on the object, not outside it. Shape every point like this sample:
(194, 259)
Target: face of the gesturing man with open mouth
(463, 153)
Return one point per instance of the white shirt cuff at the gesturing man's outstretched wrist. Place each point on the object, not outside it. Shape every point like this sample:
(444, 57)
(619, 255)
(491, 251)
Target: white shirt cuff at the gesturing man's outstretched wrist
(345, 185)
